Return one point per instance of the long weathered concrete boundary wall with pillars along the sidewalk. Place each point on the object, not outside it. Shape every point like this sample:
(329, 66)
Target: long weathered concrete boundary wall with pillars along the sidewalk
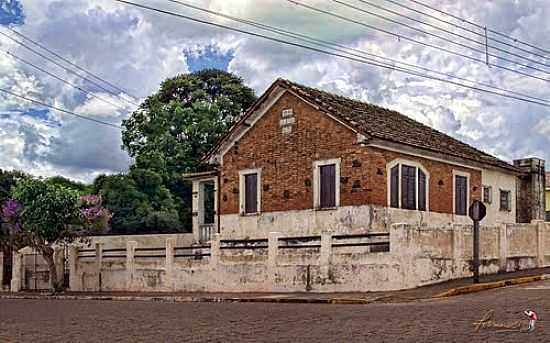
(324, 263)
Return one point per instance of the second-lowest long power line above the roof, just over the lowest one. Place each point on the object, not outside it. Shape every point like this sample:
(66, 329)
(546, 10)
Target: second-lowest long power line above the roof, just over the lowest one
(330, 45)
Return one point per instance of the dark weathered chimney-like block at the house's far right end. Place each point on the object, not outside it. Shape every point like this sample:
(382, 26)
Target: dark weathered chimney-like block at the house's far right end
(530, 190)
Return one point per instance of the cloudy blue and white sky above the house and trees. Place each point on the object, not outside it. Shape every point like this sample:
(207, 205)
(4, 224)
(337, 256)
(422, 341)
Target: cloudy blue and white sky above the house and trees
(136, 50)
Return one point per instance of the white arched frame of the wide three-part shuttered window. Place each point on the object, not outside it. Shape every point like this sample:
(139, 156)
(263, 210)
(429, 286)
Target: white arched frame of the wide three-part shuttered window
(418, 166)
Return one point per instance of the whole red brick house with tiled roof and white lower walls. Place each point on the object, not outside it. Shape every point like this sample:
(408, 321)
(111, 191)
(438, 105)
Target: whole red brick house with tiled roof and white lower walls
(301, 161)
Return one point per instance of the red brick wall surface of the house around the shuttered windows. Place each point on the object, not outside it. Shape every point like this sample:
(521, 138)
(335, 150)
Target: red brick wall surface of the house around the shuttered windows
(287, 160)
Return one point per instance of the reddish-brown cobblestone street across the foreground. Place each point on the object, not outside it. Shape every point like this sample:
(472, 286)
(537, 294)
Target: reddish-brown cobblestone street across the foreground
(445, 320)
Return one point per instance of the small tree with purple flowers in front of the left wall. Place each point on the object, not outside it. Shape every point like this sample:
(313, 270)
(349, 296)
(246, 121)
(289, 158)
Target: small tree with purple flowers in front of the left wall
(42, 215)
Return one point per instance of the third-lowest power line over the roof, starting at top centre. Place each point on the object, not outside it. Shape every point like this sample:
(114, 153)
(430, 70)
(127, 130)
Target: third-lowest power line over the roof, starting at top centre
(399, 36)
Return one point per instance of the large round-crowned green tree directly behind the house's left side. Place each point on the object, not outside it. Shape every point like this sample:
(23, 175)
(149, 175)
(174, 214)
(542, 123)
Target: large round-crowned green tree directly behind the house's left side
(173, 128)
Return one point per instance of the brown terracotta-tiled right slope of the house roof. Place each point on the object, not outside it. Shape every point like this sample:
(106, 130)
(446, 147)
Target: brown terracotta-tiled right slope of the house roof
(393, 126)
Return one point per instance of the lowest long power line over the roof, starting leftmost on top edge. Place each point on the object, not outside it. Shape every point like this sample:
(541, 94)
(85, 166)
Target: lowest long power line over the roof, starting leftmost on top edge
(254, 34)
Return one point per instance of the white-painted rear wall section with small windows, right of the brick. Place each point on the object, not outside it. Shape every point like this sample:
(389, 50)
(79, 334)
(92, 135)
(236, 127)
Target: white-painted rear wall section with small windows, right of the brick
(498, 180)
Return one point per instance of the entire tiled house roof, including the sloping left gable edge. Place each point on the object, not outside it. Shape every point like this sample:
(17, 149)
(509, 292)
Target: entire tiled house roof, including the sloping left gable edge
(371, 121)
